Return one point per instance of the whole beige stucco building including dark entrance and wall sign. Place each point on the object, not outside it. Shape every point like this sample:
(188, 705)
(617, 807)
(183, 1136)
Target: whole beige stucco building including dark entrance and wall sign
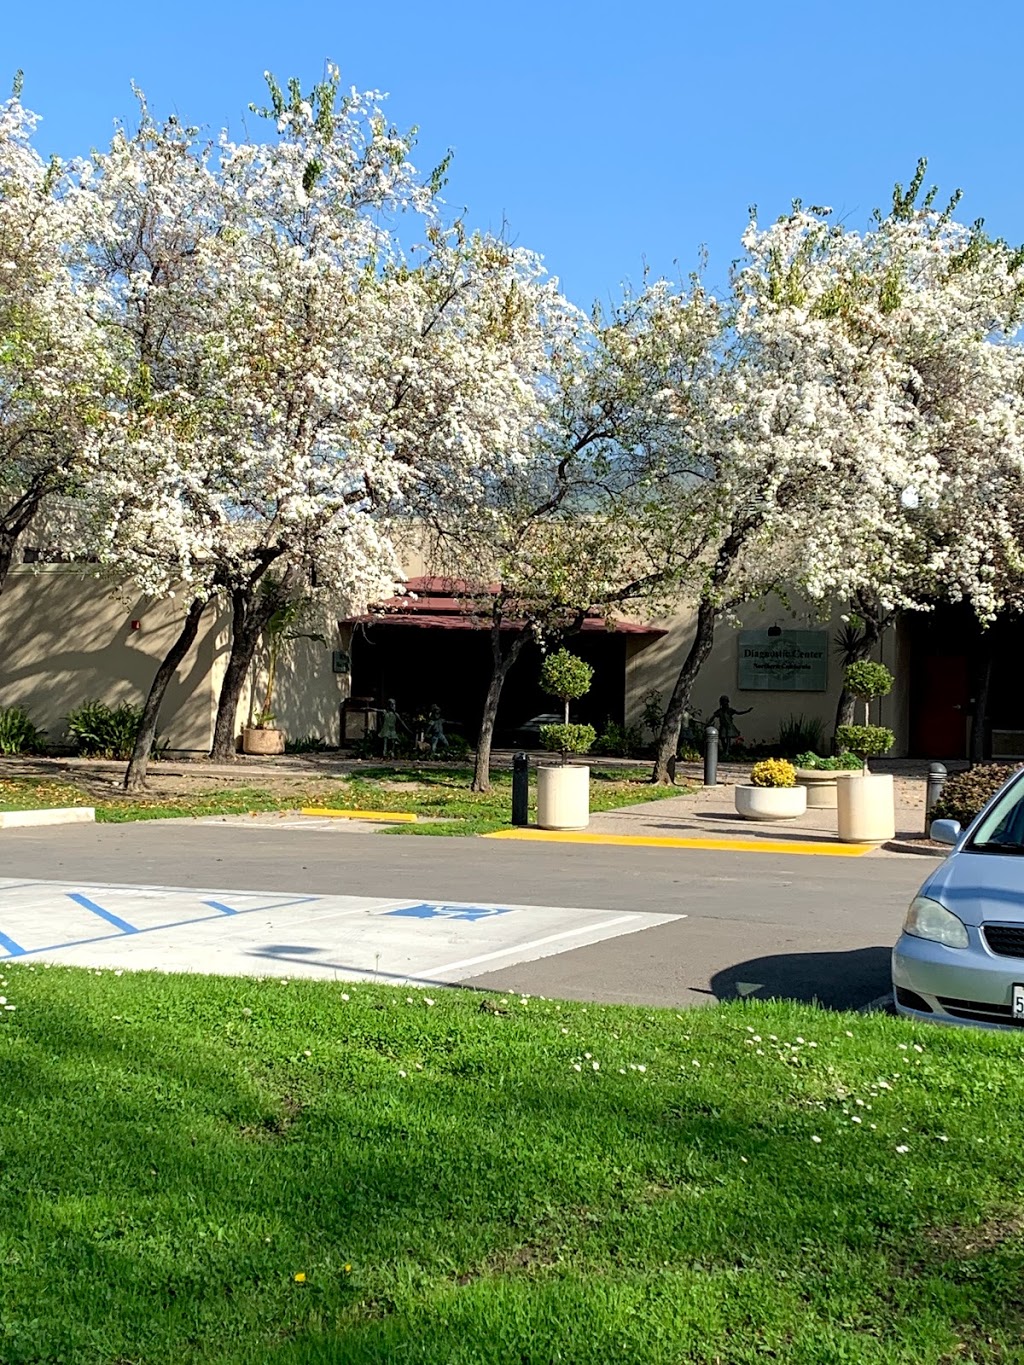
(68, 638)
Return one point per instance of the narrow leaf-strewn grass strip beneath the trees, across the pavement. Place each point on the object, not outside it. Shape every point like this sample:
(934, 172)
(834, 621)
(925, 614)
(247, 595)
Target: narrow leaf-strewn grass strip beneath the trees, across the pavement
(440, 794)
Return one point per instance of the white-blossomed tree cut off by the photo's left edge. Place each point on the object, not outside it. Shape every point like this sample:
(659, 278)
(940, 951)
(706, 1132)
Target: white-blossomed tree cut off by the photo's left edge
(54, 375)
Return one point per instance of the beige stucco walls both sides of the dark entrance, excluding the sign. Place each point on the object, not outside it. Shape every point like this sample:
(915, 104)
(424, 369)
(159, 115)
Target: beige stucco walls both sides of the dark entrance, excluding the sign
(66, 638)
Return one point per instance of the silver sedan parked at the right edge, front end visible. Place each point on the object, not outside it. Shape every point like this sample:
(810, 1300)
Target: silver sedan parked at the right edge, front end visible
(961, 958)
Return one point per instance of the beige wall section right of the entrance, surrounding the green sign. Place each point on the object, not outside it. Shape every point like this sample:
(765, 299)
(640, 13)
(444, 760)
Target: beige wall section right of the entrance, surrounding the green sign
(656, 667)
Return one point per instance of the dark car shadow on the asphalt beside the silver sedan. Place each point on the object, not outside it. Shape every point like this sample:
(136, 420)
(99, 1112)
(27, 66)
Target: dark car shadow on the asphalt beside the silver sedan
(835, 981)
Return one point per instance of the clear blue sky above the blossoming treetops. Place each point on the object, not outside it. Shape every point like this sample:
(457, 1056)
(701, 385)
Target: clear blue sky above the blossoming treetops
(603, 137)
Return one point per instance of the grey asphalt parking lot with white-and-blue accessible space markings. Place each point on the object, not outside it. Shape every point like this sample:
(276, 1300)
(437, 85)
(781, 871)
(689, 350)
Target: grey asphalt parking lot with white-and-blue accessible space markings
(677, 928)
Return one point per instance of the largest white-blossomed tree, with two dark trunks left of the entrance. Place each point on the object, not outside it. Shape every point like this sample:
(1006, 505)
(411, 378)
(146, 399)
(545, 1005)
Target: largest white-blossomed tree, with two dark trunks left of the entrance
(293, 373)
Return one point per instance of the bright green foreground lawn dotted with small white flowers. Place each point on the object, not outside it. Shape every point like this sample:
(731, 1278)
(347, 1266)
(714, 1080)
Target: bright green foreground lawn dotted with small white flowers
(208, 1170)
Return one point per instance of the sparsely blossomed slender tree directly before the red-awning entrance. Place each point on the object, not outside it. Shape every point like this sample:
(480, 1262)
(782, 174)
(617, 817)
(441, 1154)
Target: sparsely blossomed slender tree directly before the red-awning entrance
(563, 519)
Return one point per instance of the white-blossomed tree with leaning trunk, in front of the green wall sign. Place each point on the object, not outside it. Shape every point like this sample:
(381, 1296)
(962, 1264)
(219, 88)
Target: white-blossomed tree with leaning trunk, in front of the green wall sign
(851, 427)
